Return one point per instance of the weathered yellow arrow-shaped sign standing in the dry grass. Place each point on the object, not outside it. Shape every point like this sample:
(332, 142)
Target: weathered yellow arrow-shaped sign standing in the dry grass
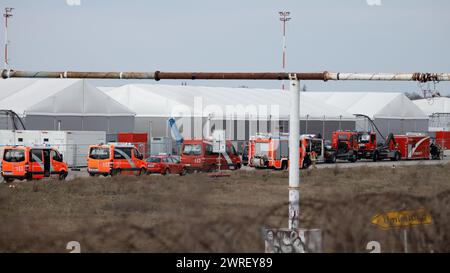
(400, 219)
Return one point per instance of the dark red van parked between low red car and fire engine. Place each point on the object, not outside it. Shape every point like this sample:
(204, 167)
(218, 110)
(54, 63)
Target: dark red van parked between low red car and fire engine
(198, 155)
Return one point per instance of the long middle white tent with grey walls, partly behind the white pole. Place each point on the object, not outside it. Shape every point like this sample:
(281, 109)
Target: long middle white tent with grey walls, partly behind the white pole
(242, 112)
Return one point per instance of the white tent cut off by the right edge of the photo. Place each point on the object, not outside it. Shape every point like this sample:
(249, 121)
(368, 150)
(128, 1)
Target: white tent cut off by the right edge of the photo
(439, 111)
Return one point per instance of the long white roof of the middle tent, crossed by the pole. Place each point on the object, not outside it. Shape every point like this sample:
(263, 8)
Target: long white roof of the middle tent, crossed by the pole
(167, 100)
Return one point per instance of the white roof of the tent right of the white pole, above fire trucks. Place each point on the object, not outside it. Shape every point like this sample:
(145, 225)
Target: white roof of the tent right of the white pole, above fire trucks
(373, 104)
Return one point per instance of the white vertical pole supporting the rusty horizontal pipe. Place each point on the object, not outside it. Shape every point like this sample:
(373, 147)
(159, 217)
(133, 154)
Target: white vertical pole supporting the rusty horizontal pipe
(294, 154)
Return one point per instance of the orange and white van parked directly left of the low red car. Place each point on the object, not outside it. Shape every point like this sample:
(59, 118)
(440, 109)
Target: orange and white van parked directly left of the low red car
(115, 158)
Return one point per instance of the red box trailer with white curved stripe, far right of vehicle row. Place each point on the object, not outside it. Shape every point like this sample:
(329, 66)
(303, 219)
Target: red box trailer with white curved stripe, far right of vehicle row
(412, 146)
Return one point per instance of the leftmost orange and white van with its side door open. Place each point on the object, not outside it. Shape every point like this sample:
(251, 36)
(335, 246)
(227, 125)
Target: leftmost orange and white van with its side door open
(23, 162)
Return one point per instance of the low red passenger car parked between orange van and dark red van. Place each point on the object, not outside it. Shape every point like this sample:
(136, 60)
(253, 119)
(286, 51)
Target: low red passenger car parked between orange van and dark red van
(165, 165)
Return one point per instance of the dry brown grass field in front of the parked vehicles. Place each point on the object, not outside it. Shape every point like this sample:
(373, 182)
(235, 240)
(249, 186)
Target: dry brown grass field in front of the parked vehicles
(201, 214)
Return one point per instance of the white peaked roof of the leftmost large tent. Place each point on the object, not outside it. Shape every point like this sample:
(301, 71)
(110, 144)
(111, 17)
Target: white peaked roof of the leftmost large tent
(57, 97)
